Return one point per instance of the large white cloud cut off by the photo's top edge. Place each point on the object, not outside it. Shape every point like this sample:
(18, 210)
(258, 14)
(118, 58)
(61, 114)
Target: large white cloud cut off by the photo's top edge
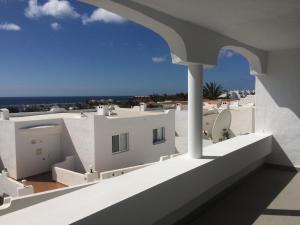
(55, 8)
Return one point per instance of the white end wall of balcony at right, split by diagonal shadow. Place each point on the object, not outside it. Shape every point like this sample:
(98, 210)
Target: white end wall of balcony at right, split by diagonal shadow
(278, 105)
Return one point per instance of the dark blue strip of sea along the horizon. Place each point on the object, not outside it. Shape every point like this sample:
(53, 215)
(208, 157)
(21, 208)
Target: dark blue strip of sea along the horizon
(15, 101)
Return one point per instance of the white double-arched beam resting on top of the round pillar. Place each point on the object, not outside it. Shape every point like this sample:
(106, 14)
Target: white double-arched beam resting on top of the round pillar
(189, 43)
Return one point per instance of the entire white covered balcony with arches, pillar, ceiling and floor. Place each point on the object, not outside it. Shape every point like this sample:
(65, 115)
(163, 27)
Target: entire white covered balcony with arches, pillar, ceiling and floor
(190, 190)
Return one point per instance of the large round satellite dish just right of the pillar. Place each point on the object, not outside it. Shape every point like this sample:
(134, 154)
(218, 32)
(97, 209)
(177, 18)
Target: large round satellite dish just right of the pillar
(221, 126)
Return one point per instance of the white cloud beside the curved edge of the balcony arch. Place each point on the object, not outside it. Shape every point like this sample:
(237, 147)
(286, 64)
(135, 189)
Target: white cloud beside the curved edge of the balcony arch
(102, 15)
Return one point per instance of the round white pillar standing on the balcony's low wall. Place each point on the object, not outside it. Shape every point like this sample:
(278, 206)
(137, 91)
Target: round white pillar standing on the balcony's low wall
(195, 105)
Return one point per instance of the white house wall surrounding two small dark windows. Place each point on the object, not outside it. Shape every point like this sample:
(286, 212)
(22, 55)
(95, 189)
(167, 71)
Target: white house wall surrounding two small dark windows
(141, 148)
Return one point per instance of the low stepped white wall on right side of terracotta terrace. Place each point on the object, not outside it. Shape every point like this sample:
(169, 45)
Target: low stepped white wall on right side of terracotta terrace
(64, 173)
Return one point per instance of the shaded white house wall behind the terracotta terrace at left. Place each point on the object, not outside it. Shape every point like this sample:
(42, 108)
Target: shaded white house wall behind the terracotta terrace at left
(37, 149)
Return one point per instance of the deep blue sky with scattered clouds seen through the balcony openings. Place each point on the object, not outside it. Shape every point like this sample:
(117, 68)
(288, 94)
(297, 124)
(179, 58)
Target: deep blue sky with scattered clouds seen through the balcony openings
(67, 48)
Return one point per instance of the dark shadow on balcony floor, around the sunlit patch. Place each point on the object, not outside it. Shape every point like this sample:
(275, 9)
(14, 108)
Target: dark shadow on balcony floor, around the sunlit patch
(244, 202)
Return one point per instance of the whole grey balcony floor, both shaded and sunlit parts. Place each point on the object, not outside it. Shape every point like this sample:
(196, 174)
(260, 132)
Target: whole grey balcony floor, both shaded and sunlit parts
(267, 197)
